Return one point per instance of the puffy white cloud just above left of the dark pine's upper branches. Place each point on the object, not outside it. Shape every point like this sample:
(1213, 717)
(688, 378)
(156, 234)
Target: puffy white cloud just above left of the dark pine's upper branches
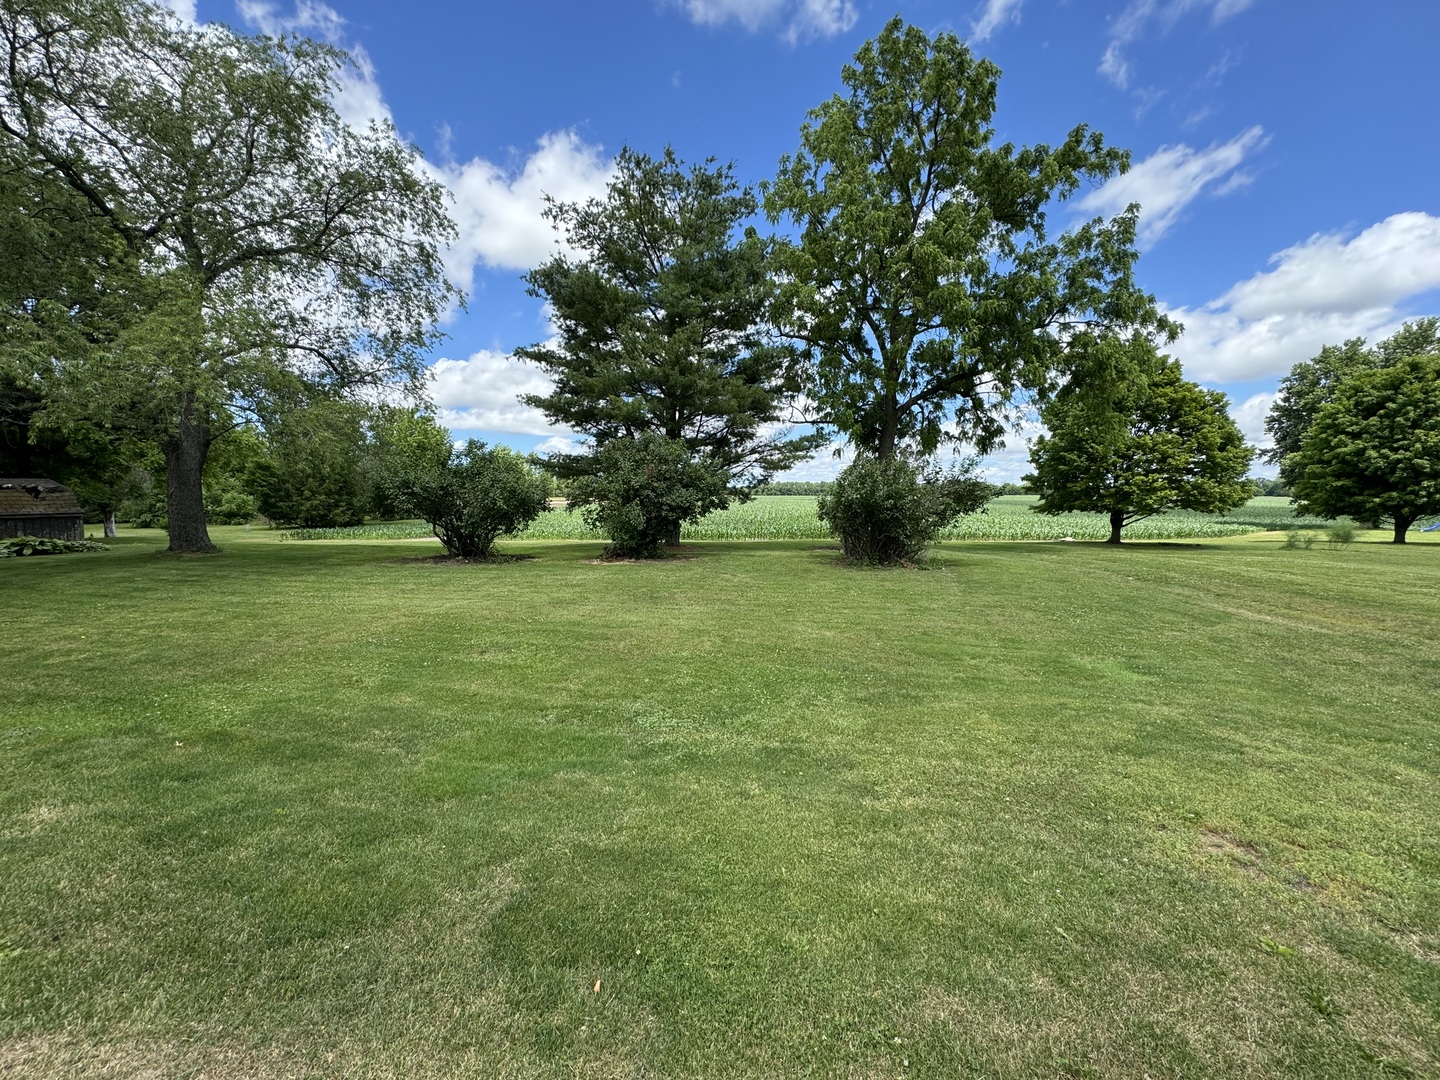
(499, 211)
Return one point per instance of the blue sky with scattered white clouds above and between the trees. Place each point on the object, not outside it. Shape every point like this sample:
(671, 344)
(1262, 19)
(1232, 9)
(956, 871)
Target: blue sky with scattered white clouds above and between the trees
(1285, 155)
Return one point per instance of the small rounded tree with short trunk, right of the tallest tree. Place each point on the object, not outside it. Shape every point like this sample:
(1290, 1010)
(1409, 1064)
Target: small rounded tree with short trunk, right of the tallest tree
(1167, 444)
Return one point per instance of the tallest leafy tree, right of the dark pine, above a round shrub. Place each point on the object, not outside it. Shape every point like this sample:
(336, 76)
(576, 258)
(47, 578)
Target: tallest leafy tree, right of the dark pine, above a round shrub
(924, 282)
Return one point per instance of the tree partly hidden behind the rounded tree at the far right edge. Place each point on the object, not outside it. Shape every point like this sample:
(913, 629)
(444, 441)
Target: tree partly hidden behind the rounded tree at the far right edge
(1313, 384)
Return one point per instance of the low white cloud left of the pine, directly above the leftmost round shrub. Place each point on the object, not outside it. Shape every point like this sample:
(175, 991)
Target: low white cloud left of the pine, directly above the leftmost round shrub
(482, 394)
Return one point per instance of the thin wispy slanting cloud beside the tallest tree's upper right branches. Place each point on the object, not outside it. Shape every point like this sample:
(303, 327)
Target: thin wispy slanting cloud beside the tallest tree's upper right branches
(1173, 178)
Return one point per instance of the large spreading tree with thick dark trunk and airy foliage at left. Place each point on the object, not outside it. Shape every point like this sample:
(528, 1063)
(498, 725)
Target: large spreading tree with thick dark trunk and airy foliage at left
(277, 247)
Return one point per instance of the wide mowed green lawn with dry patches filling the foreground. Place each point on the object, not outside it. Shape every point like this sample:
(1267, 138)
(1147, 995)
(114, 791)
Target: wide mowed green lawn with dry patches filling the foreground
(1039, 811)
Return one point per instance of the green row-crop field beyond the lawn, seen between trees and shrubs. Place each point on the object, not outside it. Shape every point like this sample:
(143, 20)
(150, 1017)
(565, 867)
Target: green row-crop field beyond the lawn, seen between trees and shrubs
(793, 518)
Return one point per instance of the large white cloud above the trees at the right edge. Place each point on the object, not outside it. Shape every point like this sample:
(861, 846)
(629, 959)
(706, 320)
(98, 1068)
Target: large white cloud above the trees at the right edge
(1330, 289)
